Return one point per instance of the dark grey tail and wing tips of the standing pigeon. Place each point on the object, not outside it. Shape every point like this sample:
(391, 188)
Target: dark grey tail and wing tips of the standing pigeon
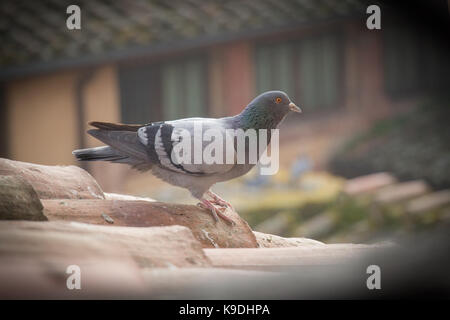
(123, 147)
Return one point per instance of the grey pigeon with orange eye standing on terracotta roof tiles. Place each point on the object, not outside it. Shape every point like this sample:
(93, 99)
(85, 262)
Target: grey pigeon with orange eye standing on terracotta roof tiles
(149, 147)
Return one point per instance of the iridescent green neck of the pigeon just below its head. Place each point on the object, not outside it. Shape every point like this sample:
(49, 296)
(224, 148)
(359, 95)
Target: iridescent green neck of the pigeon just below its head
(255, 118)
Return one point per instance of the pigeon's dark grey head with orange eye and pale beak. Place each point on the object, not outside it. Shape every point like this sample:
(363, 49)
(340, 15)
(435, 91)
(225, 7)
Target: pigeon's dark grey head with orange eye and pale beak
(268, 109)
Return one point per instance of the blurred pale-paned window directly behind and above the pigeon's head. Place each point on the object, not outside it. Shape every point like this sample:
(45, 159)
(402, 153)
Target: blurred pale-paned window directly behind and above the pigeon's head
(308, 68)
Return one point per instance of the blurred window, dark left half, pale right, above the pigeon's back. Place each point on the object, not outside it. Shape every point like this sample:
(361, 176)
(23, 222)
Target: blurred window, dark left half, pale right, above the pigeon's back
(163, 91)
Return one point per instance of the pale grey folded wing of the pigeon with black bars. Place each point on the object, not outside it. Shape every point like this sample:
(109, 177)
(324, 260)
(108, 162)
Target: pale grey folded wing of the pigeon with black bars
(179, 145)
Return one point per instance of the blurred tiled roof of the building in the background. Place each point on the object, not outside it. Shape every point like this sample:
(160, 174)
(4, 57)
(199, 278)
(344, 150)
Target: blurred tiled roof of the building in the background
(35, 33)
